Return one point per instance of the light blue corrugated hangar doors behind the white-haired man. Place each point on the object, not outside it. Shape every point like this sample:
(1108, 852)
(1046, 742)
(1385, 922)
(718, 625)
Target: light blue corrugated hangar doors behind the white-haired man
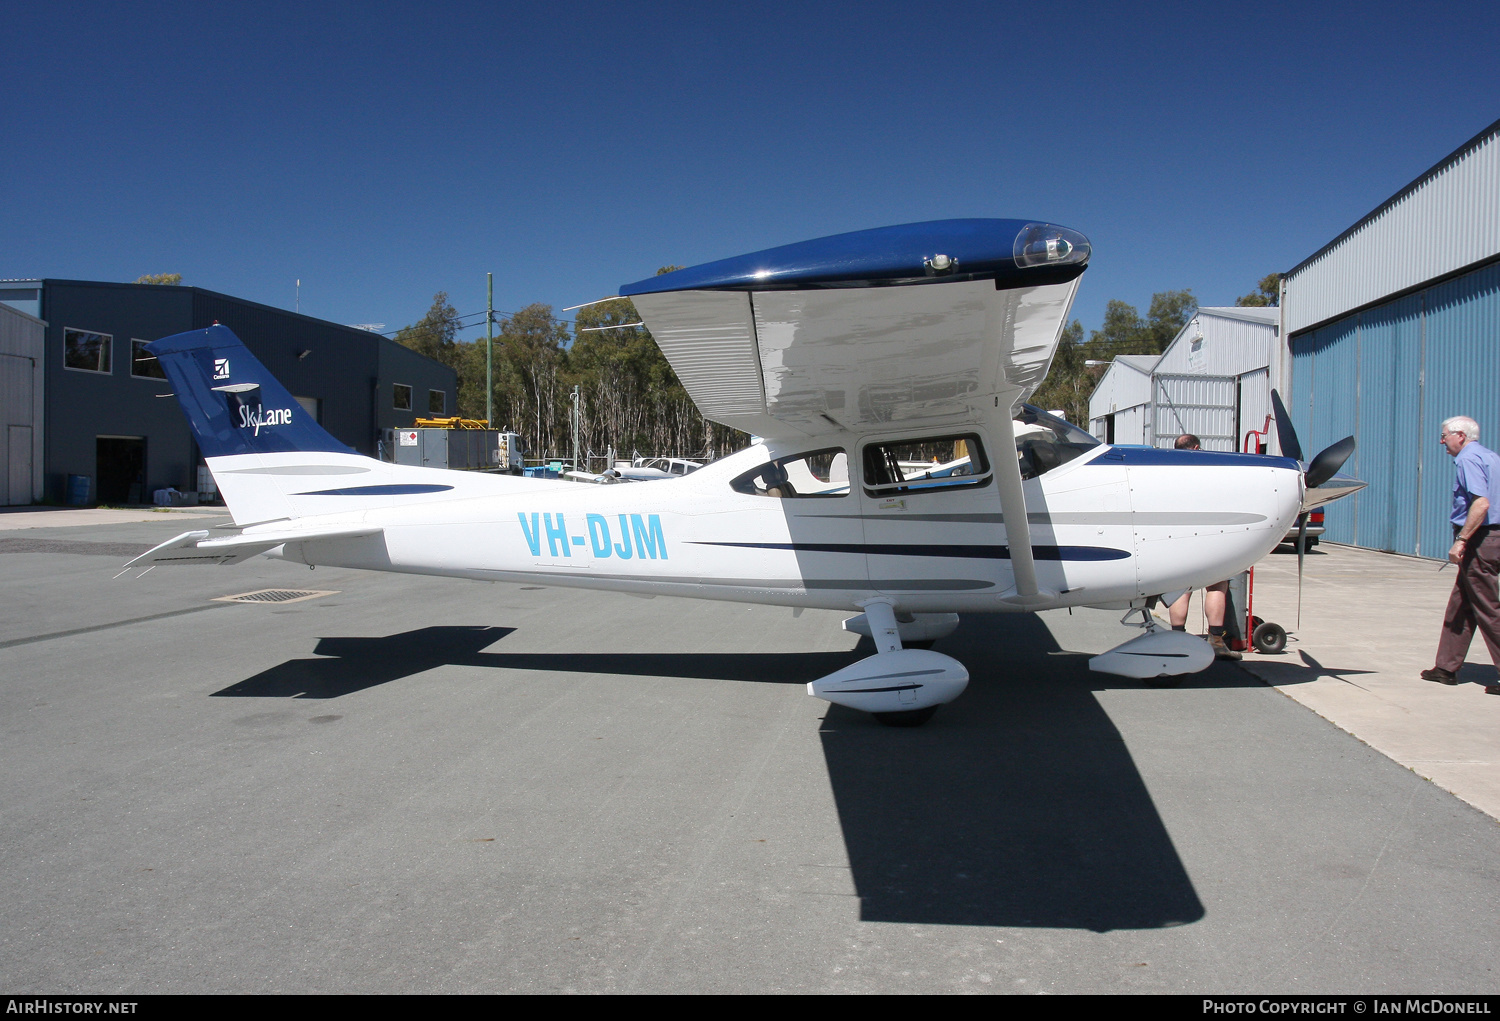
(1391, 376)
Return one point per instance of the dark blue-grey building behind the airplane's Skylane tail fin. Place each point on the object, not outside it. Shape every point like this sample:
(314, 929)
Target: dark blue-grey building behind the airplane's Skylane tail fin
(104, 416)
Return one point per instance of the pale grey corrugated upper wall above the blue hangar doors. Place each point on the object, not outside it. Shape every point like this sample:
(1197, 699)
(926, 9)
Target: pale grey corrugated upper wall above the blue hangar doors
(1447, 220)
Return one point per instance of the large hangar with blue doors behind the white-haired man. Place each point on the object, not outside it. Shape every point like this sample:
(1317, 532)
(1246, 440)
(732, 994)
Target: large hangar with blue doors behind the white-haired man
(1393, 328)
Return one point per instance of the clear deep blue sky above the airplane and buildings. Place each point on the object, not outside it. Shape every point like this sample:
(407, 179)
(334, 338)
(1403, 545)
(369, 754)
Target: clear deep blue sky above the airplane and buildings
(383, 152)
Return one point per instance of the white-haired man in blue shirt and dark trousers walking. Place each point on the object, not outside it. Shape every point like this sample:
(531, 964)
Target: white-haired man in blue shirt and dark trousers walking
(1477, 552)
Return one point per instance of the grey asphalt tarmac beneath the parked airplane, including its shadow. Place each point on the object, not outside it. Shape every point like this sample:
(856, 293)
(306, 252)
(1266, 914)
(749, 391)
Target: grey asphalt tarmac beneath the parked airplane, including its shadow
(434, 786)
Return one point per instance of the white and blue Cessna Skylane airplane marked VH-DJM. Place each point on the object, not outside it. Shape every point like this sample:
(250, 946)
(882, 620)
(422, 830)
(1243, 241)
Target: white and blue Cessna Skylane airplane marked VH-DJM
(896, 472)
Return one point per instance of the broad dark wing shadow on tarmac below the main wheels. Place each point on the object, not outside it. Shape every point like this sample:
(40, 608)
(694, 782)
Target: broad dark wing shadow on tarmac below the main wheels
(1019, 807)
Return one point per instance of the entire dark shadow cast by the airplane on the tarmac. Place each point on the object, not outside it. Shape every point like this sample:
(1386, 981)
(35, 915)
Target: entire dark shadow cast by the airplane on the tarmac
(1019, 807)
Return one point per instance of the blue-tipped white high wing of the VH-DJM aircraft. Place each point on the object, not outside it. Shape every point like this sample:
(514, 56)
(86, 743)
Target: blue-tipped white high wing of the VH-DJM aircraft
(931, 325)
